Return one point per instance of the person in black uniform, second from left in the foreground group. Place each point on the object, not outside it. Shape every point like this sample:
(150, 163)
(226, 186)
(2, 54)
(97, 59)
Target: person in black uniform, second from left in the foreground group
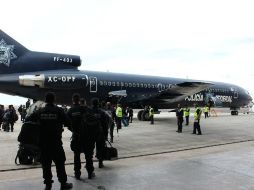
(80, 135)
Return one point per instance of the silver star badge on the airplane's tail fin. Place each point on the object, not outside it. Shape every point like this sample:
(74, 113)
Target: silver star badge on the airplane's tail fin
(6, 53)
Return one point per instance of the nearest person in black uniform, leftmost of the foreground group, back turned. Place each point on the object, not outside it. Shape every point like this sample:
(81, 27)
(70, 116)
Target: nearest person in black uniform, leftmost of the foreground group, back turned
(51, 119)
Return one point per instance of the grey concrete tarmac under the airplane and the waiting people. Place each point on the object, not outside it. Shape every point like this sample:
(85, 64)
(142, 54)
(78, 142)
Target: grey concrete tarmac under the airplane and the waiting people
(154, 157)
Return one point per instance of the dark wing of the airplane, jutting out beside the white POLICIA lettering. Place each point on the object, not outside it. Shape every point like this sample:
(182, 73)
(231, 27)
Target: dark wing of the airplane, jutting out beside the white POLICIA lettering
(180, 91)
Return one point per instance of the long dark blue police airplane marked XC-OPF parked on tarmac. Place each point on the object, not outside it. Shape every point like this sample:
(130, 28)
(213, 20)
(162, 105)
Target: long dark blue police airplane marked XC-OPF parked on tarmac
(31, 74)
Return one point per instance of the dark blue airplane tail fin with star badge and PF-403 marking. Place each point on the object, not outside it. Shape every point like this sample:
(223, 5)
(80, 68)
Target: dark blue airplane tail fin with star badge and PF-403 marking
(15, 58)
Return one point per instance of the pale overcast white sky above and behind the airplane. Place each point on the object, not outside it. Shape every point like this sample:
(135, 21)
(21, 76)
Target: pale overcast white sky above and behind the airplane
(198, 39)
